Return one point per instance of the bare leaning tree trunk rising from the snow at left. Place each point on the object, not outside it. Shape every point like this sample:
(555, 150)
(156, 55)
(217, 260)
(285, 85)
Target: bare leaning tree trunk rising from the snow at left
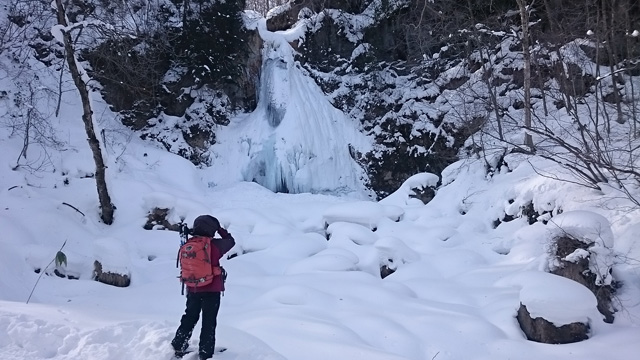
(106, 206)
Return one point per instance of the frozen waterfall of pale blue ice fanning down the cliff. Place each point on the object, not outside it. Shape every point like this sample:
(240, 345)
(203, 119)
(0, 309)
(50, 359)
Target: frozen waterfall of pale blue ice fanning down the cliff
(300, 142)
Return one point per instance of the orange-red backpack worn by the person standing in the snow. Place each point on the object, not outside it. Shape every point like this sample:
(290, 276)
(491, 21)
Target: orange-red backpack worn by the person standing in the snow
(195, 262)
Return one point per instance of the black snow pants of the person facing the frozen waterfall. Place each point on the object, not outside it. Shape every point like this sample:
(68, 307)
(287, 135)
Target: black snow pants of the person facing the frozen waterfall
(208, 303)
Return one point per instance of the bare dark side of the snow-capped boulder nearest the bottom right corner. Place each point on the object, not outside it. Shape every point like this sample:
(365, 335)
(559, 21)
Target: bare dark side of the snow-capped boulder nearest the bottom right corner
(543, 331)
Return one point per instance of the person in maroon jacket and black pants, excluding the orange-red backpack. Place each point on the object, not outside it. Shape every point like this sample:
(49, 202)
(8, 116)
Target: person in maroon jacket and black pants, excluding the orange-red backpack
(204, 298)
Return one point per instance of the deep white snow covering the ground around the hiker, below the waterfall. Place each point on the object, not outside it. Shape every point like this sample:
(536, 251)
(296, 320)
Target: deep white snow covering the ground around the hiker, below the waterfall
(291, 293)
